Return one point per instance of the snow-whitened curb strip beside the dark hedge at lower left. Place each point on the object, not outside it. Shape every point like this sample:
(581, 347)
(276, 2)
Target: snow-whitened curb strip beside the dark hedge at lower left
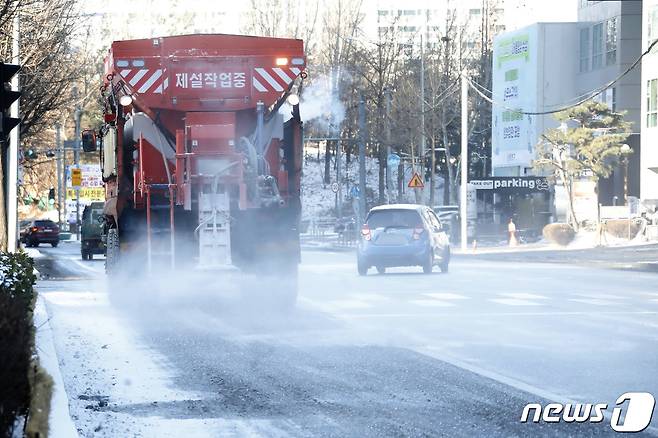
(60, 424)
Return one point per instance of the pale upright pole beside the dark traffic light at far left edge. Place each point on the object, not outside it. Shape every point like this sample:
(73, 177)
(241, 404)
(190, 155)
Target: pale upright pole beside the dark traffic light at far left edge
(12, 156)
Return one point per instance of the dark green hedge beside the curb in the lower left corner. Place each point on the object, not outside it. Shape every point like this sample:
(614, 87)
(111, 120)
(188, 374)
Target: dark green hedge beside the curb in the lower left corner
(17, 297)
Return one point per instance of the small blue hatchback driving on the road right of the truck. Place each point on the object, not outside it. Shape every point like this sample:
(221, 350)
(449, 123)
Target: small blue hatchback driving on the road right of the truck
(402, 235)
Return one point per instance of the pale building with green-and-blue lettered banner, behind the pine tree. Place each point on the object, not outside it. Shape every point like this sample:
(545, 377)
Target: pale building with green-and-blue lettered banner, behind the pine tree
(562, 63)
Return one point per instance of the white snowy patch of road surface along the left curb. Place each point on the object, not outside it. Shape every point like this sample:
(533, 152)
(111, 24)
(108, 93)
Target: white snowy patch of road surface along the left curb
(110, 377)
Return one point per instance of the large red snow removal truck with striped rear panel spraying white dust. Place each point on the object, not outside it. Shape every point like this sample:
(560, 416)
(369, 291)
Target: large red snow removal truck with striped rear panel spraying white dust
(201, 153)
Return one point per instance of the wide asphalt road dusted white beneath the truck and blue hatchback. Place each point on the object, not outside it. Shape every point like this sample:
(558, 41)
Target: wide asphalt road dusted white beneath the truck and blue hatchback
(401, 354)
